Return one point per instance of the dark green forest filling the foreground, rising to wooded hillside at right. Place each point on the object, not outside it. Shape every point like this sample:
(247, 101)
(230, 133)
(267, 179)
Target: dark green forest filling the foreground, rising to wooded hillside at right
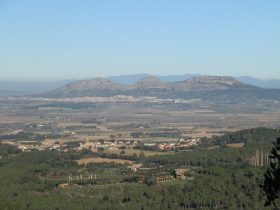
(222, 178)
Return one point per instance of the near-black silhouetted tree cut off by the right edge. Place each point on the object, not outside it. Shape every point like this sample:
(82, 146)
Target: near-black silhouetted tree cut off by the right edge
(271, 185)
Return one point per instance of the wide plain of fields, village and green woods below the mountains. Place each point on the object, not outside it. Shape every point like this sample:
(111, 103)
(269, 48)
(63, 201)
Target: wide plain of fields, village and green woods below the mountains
(123, 155)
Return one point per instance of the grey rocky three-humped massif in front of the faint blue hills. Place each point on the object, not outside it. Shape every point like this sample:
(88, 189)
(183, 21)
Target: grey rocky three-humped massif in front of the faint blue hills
(215, 88)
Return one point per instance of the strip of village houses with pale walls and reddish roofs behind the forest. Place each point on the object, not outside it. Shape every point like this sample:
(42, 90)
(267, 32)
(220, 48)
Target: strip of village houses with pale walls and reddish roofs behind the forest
(104, 146)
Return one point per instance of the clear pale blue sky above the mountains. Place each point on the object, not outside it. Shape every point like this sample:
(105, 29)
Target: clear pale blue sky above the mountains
(66, 39)
